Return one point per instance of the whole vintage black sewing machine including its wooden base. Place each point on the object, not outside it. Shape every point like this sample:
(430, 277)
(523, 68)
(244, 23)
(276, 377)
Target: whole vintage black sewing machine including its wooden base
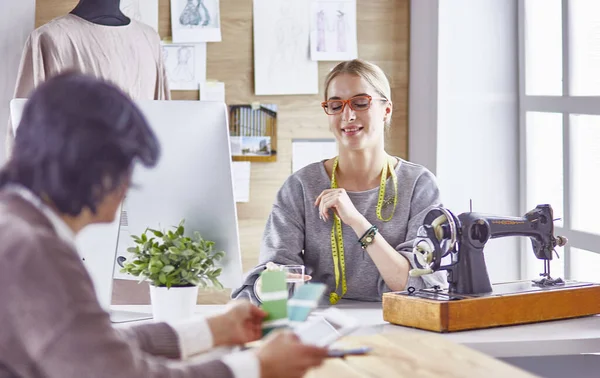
(470, 301)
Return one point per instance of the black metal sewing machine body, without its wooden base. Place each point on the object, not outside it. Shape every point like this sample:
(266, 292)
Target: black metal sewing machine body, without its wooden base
(464, 237)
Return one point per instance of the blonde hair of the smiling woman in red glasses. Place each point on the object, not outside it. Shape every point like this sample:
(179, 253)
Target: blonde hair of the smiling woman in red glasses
(367, 70)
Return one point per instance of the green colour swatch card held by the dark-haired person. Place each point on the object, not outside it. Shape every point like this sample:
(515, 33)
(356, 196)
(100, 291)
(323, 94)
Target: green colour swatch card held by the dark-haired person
(274, 297)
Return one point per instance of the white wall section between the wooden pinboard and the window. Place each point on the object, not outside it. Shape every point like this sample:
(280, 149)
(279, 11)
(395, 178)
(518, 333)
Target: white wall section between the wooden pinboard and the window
(476, 128)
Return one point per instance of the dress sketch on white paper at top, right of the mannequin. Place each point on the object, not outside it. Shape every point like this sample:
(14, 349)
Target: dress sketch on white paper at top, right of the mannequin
(195, 21)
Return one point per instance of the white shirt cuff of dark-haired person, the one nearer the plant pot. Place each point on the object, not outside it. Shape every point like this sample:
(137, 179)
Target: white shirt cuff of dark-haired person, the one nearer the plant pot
(194, 336)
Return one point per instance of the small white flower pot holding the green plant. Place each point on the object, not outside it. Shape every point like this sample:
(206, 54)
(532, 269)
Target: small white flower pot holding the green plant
(174, 304)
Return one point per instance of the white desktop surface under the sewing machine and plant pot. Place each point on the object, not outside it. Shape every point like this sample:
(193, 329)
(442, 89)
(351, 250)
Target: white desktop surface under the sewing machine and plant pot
(564, 337)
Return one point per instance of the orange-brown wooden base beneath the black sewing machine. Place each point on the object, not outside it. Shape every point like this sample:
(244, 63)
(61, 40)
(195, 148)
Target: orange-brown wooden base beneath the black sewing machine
(510, 303)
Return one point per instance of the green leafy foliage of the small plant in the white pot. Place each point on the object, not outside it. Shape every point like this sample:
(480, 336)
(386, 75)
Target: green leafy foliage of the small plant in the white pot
(167, 258)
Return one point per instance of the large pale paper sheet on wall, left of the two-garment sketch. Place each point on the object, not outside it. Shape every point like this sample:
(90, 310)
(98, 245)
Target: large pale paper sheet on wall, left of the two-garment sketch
(282, 63)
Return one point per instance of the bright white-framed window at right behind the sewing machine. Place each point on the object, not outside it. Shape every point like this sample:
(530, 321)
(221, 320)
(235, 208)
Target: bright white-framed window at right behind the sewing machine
(559, 81)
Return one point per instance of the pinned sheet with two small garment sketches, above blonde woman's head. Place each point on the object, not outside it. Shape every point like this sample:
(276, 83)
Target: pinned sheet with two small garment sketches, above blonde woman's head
(333, 30)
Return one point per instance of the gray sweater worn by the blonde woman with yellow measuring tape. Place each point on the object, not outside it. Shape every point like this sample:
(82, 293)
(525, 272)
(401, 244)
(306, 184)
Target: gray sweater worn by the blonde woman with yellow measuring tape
(294, 234)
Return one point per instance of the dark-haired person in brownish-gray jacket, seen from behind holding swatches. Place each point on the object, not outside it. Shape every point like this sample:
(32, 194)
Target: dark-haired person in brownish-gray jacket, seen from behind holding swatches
(76, 146)
